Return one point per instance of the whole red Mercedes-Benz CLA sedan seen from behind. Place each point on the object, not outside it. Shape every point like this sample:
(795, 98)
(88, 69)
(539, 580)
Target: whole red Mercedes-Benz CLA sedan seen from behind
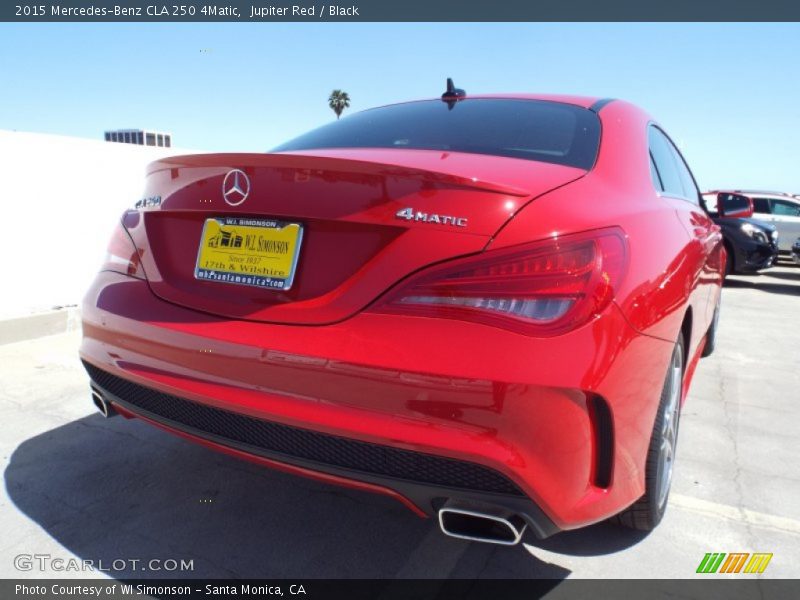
(489, 308)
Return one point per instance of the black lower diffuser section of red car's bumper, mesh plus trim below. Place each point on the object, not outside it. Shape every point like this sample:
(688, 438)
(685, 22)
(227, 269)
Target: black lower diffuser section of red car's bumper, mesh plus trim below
(422, 482)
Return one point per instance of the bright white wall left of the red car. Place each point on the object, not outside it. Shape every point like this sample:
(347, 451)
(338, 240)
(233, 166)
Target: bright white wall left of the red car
(59, 200)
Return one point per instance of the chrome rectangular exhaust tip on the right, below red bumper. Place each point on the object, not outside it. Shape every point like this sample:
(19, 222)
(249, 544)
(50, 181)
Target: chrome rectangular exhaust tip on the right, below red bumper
(479, 525)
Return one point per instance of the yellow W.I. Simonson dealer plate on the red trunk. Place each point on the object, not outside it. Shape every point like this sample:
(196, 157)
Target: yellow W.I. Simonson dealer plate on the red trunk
(248, 251)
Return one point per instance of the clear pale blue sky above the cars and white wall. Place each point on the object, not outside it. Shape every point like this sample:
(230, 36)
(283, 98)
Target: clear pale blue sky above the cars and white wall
(729, 94)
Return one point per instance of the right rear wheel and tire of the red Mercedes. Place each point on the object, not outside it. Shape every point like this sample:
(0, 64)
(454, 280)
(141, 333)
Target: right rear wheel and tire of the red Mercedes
(646, 513)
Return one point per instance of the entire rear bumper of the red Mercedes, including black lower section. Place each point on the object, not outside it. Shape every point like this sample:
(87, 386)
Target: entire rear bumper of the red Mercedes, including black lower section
(516, 410)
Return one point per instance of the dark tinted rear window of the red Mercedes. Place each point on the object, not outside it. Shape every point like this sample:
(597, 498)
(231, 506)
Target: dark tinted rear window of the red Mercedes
(530, 129)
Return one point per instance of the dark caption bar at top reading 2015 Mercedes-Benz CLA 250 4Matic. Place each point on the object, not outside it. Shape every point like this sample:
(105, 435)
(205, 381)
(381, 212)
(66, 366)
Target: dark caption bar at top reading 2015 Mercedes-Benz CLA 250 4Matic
(399, 10)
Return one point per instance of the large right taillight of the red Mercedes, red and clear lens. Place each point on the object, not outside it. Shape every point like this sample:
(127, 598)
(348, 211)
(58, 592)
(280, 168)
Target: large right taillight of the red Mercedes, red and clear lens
(543, 288)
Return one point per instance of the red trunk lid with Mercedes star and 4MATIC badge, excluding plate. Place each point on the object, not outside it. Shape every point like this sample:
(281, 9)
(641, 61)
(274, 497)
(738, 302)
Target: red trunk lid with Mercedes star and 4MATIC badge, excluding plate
(368, 219)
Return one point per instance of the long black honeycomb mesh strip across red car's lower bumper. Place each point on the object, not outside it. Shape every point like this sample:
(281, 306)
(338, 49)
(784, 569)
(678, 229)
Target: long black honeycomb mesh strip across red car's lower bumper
(278, 440)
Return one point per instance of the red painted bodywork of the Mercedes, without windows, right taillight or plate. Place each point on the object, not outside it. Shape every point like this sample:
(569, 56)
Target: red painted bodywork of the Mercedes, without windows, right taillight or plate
(318, 358)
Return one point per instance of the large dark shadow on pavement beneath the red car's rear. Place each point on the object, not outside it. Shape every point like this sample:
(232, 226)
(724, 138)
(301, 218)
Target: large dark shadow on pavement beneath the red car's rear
(110, 490)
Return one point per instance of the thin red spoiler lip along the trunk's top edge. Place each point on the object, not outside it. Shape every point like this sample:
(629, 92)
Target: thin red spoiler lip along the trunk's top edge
(309, 161)
